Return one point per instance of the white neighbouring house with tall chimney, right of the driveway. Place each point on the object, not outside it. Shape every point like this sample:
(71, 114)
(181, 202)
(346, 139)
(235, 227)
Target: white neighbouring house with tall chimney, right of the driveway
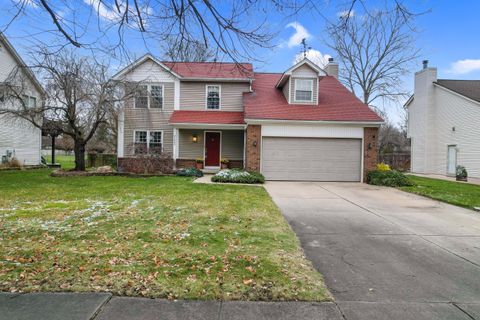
(444, 124)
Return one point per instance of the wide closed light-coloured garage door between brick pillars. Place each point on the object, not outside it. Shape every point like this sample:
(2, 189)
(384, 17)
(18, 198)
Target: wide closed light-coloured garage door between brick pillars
(311, 159)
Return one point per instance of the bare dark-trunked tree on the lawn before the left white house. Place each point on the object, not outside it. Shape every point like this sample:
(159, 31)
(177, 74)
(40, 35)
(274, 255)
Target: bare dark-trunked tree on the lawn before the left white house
(80, 97)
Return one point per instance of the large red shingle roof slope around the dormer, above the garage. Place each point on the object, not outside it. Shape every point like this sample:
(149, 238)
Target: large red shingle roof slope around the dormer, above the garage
(335, 102)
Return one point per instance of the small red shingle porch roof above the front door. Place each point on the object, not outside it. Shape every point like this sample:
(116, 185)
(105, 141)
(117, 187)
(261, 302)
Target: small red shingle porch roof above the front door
(211, 117)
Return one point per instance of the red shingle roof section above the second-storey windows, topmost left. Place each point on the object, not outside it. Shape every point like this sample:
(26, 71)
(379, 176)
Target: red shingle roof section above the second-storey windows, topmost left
(212, 70)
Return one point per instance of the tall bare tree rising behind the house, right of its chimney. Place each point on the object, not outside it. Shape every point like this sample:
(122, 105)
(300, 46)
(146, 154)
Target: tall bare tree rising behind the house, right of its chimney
(376, 50)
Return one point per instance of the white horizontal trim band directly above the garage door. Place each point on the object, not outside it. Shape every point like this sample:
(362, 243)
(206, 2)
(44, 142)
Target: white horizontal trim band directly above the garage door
(312, 131)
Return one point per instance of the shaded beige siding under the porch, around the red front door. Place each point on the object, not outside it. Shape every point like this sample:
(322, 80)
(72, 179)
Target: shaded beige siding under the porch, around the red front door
(232, 144)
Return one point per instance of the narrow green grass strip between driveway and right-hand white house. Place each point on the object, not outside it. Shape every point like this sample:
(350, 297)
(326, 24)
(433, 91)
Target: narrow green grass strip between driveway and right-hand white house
(460, 194)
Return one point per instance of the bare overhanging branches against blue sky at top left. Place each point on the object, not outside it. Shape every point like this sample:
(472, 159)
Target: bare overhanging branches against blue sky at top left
(227, 25)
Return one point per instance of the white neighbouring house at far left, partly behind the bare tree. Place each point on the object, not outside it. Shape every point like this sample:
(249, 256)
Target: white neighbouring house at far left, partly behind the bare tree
(18, 138)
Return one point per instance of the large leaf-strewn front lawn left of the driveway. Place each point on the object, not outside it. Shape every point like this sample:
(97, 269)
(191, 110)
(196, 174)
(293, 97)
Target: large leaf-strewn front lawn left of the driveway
(156, 237)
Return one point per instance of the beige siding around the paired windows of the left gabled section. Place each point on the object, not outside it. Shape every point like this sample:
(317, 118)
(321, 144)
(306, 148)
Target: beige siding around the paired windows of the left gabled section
(150, 119)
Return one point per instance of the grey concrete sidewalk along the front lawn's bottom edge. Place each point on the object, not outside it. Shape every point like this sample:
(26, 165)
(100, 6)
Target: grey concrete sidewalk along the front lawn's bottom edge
(104, 306)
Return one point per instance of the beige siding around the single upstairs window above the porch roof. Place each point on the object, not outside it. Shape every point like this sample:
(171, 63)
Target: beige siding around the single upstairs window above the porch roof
(193, 95)
